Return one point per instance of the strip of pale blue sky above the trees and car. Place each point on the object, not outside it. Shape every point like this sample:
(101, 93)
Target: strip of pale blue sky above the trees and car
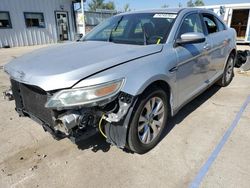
(150, 4)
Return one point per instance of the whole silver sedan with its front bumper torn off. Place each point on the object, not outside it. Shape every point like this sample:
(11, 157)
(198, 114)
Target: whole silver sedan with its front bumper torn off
(126, 77)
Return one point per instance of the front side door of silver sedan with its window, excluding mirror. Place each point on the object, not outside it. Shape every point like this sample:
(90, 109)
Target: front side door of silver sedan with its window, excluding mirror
(192, 60)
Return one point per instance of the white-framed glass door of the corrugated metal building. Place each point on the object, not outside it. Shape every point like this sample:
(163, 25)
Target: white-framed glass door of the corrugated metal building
(62, 26)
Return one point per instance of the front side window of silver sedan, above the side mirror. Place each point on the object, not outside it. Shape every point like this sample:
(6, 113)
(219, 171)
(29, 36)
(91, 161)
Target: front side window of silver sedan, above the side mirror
(192, 23)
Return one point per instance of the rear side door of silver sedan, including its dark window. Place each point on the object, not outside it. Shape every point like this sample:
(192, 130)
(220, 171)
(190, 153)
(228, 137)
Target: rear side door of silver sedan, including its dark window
(217, 51)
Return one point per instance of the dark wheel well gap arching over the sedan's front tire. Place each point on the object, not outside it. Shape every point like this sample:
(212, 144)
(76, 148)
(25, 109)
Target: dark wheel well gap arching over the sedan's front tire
(165, 87)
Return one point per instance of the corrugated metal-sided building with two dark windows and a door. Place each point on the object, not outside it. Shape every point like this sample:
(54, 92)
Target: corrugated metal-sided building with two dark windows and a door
(33, 22)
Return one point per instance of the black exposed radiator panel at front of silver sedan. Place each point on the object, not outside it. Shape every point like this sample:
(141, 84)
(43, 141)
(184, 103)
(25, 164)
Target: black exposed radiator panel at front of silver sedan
(31, 100)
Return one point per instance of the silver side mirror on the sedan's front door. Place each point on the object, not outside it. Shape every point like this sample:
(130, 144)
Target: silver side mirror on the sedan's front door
(191, 38)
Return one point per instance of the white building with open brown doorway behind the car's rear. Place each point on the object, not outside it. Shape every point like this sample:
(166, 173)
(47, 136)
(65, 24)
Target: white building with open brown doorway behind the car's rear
(236, 16)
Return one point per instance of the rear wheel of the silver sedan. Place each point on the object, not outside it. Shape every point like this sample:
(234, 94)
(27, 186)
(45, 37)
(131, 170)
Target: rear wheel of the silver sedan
(228, 73)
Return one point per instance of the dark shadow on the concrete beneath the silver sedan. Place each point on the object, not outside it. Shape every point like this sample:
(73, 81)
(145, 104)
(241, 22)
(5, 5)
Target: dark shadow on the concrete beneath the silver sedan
(98, 143)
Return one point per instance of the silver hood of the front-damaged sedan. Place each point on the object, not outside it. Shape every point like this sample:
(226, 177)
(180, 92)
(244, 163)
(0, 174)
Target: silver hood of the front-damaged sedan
(61, 66)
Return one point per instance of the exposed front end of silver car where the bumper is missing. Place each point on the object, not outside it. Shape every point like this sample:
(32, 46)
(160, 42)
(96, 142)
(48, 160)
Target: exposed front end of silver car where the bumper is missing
(76, 124)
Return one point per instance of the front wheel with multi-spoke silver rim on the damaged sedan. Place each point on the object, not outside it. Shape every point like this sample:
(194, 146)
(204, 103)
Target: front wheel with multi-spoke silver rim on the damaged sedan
(146, 126)
